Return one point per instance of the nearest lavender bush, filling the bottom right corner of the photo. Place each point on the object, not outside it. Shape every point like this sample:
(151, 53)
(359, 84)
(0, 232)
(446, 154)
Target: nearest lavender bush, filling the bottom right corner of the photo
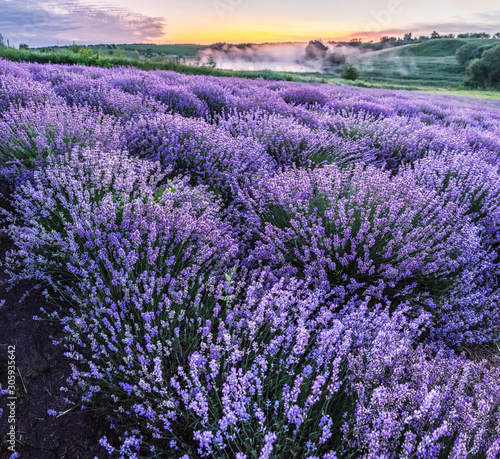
(300, 381)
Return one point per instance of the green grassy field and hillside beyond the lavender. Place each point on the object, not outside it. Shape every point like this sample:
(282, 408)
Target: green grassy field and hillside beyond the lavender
(429, 66)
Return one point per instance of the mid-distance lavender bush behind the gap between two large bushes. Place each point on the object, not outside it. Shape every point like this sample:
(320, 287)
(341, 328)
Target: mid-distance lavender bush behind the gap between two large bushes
(195, 148)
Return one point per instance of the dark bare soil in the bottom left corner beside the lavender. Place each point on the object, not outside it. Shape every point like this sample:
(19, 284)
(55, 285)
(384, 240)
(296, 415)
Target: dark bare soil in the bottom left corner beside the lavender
(42, 369)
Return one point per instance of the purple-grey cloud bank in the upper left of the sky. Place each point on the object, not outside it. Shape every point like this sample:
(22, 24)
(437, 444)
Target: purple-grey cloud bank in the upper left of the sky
(42, 23)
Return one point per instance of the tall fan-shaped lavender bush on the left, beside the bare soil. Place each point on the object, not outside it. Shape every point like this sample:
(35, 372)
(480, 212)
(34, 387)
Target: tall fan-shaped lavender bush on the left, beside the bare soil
(159, 254)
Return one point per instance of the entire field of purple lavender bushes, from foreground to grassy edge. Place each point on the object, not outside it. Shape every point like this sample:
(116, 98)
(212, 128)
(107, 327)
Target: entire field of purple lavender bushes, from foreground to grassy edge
(254, 269)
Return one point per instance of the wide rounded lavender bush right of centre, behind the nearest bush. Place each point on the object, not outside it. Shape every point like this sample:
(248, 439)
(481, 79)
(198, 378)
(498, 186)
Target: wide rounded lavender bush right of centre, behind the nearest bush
(358, 232)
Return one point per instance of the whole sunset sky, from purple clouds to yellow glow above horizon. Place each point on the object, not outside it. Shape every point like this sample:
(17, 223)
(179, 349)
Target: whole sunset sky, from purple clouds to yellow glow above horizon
(43, 23)
